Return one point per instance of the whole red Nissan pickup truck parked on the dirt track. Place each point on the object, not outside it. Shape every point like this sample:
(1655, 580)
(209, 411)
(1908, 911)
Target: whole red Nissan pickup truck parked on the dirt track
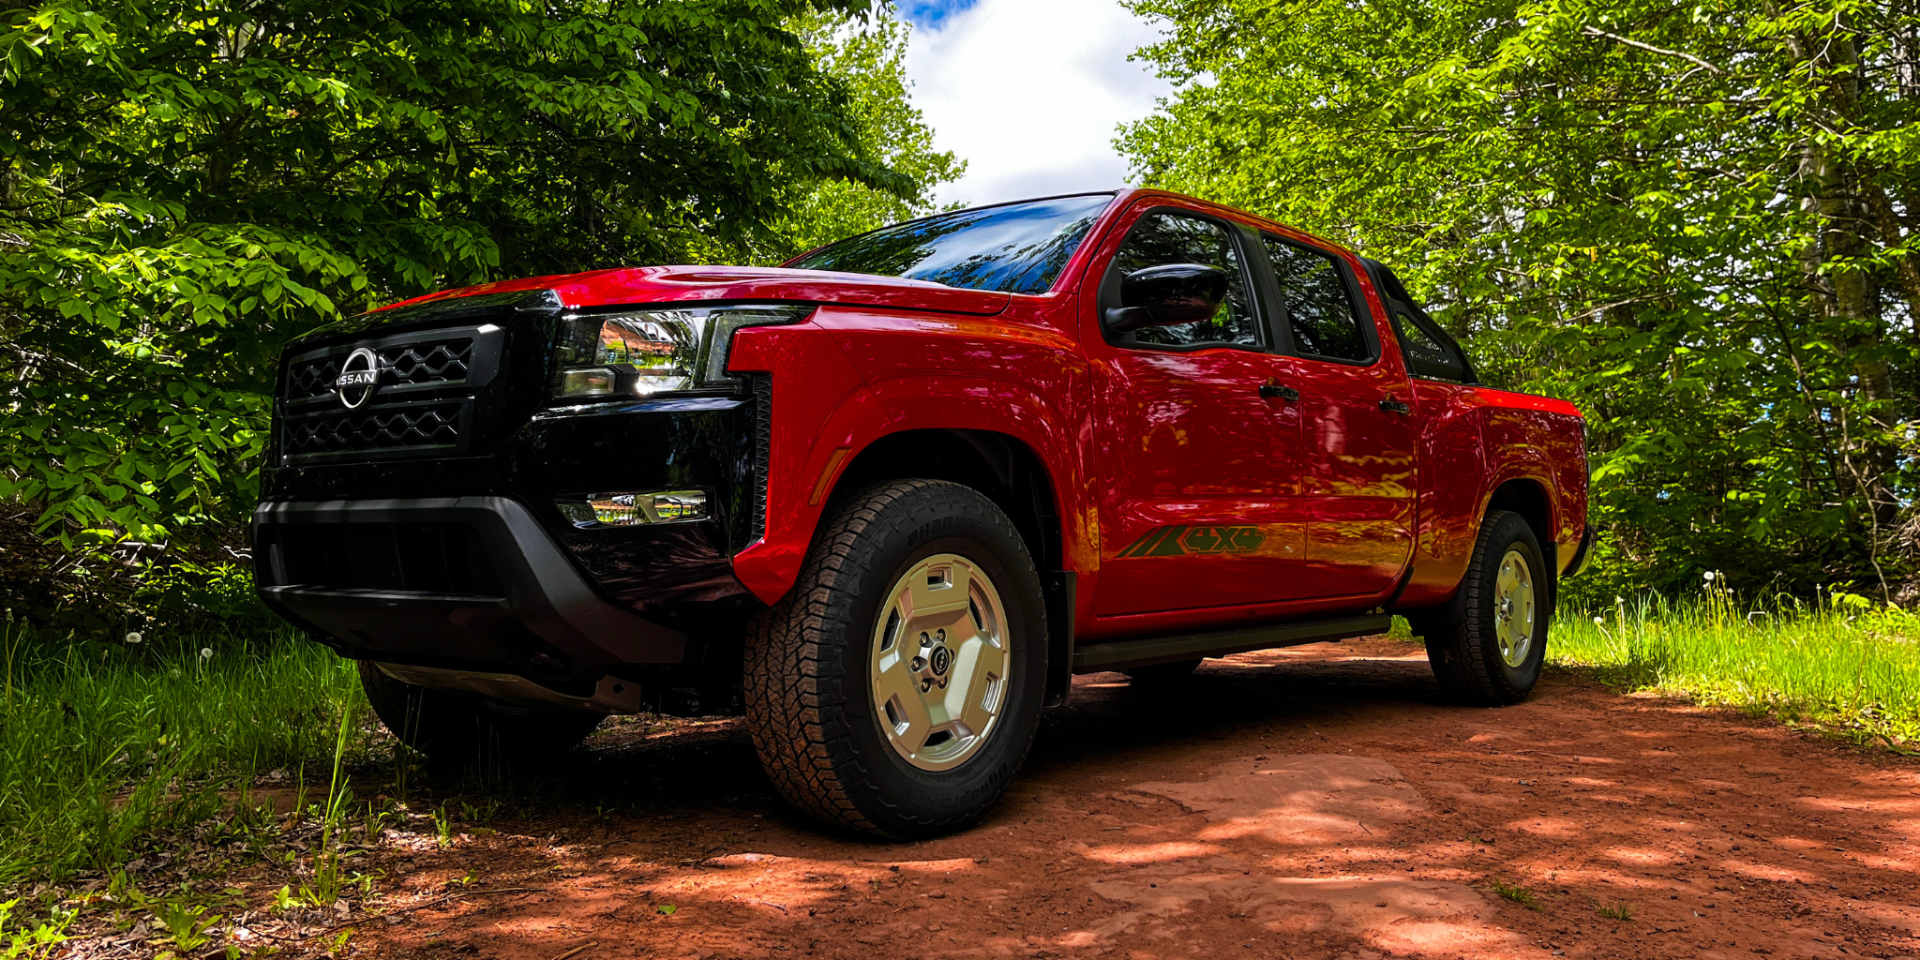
(890, 498)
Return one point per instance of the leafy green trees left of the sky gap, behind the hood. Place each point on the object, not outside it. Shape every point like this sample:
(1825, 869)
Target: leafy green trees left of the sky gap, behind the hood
(189, 185)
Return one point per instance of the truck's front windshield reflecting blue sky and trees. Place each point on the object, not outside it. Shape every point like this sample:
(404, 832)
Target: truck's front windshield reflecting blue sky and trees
(1015, 249)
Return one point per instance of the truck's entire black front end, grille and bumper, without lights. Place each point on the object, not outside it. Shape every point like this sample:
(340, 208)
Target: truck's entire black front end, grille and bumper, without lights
(433, 542)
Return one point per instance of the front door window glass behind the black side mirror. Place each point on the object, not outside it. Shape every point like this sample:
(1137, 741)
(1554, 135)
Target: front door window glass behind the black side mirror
(1161, 239)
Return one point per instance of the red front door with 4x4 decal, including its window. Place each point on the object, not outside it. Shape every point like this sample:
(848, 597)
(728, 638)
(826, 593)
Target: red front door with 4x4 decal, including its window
(1195, 458)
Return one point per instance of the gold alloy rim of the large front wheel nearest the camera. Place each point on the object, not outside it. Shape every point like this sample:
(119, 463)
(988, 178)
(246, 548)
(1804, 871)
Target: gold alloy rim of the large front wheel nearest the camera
(940, 663)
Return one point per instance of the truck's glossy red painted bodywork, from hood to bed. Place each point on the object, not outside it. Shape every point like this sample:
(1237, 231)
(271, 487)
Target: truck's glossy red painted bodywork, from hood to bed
(1343, 496)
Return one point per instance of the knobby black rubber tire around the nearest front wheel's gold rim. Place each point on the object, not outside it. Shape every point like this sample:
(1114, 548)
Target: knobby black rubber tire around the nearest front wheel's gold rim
(807, 688)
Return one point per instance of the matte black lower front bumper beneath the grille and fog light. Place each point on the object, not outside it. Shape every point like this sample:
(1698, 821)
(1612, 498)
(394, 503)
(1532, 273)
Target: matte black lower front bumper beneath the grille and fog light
(462, 585)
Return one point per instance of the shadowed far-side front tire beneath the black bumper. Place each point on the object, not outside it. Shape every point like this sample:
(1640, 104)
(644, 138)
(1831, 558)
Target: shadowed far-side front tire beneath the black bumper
(464, 731)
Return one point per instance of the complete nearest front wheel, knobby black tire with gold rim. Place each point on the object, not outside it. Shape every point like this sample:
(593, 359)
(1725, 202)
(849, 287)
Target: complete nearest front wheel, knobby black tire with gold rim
(898, 688)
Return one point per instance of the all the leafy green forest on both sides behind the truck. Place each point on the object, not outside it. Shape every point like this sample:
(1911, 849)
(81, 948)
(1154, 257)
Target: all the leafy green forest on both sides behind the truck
(1692, 220)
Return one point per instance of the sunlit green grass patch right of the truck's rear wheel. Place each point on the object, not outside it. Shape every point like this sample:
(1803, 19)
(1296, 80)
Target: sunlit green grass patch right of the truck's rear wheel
(1840, 665)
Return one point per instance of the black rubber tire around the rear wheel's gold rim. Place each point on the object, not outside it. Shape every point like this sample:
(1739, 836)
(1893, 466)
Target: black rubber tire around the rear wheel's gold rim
(1462, 642)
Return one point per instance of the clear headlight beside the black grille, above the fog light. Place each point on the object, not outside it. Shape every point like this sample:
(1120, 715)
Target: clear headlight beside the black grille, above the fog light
(654, 350)
